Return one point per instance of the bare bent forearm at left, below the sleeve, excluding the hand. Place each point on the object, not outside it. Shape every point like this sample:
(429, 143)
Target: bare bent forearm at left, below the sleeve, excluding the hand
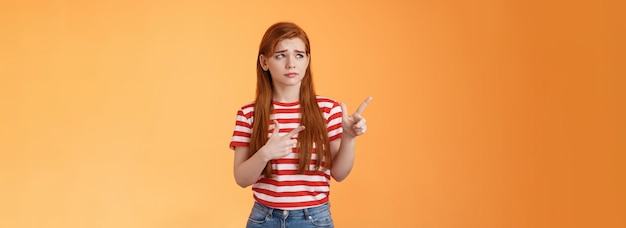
(248, 172)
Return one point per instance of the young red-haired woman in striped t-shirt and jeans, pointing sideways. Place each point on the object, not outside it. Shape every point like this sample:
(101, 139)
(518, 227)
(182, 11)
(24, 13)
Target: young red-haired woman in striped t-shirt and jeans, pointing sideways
(290, 141)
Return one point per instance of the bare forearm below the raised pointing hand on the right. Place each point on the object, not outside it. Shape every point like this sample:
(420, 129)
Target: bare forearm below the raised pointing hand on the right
(344, 158)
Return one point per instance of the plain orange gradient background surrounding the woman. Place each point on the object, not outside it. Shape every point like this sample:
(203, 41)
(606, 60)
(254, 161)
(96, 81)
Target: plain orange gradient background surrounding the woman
(485, 113)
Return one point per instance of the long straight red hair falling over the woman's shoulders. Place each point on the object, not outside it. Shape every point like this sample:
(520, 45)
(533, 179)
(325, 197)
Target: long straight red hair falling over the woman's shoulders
(311, 116)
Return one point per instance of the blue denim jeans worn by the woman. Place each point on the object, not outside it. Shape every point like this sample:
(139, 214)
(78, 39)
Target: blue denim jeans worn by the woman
(263, 216)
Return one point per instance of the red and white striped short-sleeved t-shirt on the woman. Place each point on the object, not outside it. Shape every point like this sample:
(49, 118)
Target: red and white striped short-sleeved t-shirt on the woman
(288, 189)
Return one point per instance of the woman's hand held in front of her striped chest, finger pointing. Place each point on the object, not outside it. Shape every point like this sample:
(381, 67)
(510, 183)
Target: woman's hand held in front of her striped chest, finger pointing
(279, 146)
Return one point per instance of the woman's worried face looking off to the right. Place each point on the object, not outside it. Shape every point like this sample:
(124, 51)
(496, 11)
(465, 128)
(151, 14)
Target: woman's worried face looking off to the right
(288, 63)
